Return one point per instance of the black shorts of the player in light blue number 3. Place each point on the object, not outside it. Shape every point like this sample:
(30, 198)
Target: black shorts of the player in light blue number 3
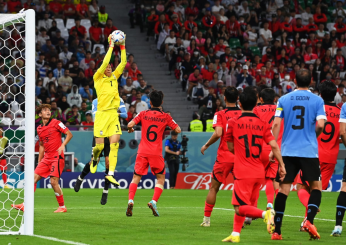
(310, 168)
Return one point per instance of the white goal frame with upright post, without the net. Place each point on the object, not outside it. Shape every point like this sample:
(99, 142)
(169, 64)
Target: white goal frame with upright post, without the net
(27, 225)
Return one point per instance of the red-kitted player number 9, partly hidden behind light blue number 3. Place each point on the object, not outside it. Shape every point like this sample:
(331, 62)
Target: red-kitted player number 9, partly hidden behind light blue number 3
(328, 144)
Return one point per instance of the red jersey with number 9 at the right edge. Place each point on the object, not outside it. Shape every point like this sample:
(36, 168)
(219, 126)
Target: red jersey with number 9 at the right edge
(328, 142)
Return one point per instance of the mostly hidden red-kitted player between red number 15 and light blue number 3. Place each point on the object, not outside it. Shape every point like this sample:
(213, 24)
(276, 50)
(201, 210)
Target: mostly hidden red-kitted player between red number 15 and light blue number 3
(266, 112)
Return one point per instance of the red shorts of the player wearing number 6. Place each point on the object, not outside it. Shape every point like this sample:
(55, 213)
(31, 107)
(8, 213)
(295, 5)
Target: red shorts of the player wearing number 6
(157, 164)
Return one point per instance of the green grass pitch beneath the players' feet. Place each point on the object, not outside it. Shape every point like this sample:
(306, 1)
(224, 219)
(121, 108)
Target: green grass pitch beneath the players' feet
(181, 214)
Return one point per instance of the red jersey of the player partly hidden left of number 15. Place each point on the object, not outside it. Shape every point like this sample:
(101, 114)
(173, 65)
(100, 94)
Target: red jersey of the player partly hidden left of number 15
(220, 120)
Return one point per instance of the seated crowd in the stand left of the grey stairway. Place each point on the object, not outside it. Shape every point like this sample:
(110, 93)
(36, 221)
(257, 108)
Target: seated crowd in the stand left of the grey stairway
(71, 41)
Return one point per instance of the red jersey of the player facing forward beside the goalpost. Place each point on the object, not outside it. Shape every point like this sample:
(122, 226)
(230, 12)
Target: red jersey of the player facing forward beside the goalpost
(50, 135)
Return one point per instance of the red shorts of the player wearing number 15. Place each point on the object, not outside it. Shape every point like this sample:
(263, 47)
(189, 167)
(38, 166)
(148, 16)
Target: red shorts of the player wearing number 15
(246, 191)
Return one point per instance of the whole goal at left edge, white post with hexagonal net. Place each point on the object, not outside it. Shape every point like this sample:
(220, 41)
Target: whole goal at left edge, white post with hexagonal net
(17, 118)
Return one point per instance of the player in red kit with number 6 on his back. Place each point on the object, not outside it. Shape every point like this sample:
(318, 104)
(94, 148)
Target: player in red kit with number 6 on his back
(153, 122)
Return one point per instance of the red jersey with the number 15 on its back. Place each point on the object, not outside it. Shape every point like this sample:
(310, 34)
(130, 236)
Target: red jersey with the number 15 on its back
(248, 133)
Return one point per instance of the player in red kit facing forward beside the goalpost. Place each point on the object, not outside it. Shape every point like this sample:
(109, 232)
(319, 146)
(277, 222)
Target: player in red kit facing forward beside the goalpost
(51, 161)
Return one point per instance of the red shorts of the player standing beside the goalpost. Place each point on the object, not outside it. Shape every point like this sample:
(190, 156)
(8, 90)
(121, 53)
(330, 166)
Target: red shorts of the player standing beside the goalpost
(50, 166)
